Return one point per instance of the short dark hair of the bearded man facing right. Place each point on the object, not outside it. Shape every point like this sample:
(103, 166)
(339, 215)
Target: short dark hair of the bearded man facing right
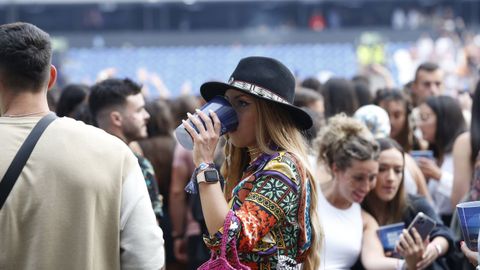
(110, 93)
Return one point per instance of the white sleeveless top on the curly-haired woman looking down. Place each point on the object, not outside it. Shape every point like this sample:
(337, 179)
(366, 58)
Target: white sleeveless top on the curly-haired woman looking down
(343, 231)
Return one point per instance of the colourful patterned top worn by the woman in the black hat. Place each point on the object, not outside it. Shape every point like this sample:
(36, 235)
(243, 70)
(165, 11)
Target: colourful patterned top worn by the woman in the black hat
(271, 214)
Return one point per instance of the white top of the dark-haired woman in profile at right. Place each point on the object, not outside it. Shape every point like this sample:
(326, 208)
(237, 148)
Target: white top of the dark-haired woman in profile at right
(441, 190)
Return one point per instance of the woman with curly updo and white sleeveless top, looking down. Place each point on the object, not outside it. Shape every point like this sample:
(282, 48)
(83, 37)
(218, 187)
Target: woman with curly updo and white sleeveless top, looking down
(350, 151)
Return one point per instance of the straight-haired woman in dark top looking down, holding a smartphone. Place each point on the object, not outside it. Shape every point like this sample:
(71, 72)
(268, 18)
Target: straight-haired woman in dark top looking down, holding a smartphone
(388, 203)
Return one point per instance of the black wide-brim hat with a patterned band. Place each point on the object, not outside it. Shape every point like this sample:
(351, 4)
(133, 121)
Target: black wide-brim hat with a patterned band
(265, 78)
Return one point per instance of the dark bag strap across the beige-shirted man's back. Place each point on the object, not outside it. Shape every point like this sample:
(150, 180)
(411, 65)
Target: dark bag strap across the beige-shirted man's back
(20, 159)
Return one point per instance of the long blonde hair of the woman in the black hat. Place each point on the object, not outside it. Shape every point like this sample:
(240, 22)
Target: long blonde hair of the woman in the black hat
(275, 125)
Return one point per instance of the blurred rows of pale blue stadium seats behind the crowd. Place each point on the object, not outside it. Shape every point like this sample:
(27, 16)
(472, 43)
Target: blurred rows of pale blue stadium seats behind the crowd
(195, 65)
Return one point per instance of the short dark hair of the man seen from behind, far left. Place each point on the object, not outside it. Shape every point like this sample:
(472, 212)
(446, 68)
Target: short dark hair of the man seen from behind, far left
(25, 56)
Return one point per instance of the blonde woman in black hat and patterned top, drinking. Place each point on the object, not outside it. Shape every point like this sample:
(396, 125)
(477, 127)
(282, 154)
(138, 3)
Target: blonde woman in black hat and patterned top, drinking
(268, 185)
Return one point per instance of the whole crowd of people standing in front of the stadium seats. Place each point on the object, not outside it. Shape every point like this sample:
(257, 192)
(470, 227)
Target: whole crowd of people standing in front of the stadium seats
(305, 181)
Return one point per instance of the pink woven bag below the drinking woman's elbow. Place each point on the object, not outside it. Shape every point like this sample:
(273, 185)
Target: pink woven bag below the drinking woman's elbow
(221, 263)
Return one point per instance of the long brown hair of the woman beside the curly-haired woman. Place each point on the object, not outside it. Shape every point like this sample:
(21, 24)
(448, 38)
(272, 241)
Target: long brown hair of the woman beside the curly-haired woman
(397, 206)
